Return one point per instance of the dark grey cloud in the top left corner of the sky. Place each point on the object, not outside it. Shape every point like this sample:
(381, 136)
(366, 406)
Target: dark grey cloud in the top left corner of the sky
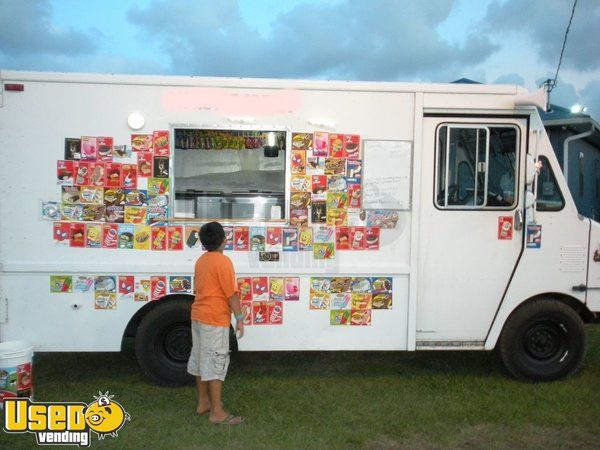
(26, 31)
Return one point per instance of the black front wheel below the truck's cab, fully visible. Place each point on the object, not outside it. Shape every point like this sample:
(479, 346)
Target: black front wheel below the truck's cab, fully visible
(543, 340)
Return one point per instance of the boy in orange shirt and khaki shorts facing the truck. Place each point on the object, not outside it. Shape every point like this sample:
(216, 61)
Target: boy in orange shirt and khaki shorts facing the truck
(216, 298)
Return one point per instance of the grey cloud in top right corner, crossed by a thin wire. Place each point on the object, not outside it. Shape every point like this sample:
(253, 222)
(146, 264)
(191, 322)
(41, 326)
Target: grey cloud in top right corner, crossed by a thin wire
(545, 22)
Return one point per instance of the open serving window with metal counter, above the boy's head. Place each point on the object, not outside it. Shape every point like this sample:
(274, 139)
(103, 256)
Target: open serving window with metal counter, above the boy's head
(229, 174)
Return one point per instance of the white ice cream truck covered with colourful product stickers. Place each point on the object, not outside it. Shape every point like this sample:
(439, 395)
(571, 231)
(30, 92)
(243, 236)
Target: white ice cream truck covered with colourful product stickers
(359, 216)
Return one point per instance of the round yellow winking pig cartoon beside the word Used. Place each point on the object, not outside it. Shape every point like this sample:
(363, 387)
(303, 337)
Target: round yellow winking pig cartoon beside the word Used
(105, 416)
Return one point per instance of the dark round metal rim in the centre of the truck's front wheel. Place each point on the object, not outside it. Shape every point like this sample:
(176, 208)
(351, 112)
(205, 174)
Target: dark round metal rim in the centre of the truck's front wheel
(545, 341)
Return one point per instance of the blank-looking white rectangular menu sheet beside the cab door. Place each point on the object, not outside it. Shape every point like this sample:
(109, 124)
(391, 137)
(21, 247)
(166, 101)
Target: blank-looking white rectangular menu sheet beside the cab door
(386, 177)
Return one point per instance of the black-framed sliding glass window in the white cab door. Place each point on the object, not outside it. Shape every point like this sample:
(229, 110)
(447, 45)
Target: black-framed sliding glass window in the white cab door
(476, 166)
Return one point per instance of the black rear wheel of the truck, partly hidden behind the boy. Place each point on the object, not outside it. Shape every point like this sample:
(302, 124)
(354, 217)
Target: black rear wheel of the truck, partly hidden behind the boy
(163, 342)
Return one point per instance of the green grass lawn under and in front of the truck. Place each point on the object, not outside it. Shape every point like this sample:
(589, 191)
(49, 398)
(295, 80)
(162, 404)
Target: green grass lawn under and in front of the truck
(339, 400)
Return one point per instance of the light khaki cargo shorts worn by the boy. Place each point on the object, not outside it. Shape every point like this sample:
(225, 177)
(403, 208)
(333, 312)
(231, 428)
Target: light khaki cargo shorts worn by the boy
(209, 358)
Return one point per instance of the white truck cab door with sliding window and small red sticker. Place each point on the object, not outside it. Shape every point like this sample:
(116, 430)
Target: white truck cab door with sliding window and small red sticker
(471, 235)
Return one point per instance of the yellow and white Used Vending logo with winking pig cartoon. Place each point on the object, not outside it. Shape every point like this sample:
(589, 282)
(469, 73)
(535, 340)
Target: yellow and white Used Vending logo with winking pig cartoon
(59, 423)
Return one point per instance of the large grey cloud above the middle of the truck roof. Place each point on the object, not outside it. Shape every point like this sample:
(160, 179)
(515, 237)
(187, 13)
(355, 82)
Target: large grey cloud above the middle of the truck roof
(382, 40)
